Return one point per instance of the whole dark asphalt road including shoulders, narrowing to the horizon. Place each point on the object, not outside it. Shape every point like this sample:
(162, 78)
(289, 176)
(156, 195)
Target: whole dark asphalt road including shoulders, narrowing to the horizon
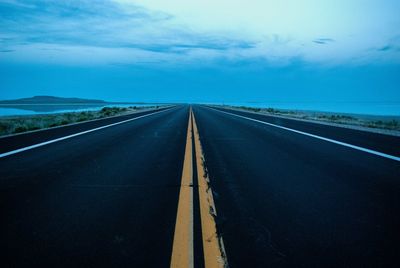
(287, 193)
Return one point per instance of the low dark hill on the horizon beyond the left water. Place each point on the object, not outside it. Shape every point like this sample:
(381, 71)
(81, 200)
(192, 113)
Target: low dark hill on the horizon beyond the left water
(51, 100)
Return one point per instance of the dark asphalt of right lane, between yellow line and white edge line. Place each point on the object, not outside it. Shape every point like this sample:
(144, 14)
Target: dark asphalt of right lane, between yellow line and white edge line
(288, 200)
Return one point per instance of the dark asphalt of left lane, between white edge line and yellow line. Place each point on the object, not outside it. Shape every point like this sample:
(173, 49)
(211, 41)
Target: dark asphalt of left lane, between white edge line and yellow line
(104, 199)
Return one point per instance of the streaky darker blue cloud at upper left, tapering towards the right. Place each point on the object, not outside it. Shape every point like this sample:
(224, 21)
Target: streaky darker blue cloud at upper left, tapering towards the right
(101, 24)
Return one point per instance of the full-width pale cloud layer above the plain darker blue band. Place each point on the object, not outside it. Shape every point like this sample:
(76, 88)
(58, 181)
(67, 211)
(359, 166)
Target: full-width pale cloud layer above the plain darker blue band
(176, 31)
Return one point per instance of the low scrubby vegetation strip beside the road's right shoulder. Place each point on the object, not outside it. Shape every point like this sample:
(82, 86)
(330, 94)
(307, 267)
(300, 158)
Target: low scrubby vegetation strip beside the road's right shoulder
(387, 124)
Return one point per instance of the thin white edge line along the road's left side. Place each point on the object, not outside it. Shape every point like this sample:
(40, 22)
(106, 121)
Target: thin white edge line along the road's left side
(75, 134)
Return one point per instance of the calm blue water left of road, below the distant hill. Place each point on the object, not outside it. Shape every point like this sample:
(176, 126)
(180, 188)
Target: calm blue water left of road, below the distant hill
(11, 110)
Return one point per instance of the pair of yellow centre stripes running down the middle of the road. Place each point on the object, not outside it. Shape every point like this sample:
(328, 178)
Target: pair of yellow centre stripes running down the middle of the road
(213, 248)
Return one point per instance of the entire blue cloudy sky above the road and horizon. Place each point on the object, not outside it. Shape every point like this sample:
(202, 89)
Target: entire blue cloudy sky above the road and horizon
(336, 55)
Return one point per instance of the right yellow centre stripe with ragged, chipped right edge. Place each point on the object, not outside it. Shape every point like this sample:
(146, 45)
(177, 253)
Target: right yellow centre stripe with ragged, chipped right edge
(213, 247)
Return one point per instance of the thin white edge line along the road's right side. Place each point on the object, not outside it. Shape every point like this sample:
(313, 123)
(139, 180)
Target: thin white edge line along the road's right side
(388, 156)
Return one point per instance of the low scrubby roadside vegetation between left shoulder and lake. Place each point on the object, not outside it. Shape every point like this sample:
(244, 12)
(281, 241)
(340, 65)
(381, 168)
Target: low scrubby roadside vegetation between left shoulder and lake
(19, 124)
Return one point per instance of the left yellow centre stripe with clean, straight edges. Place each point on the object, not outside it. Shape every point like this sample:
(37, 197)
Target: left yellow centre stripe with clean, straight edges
(182, 251)
